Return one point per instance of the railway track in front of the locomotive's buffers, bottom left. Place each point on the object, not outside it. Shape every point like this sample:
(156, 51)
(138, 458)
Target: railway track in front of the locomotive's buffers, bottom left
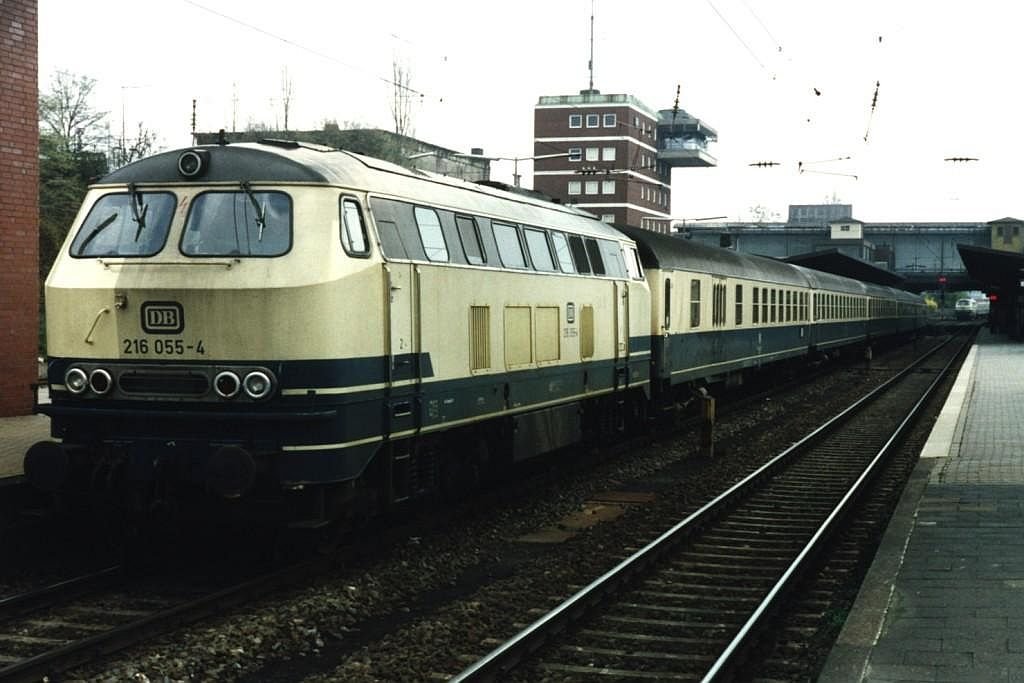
(48, 631)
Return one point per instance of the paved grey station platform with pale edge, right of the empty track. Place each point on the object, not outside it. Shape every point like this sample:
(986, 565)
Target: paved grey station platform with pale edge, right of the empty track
(945, 597)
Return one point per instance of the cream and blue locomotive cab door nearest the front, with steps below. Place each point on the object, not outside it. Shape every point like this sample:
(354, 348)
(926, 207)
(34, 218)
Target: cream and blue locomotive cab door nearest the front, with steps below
(403, 348)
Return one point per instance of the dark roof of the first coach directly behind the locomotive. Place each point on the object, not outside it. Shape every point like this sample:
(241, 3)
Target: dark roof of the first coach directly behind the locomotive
(663, 251)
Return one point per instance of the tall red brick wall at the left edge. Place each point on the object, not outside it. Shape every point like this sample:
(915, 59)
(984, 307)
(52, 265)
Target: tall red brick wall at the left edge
(19, 204)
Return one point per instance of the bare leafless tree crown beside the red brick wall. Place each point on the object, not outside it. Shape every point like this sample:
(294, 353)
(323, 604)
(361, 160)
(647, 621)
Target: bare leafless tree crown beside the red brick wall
(66, 113)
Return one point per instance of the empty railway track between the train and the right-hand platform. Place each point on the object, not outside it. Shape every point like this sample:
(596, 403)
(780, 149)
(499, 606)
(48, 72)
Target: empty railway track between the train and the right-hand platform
(694, 604)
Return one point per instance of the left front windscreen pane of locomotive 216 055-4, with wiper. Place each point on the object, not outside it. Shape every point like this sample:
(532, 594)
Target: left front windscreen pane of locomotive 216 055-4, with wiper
(125, 225)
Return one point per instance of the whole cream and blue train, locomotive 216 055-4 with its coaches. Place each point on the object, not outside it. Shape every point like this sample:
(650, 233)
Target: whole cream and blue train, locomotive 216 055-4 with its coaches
(286, 330)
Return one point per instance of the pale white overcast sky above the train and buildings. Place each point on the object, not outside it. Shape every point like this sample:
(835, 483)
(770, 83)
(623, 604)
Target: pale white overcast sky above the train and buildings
(948, 75)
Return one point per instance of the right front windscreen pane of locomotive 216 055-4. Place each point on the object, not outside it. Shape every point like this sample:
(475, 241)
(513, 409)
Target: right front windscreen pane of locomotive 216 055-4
(239, 224)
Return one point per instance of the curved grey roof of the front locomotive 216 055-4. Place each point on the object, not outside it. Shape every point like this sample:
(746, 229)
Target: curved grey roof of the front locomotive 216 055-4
(284, 162)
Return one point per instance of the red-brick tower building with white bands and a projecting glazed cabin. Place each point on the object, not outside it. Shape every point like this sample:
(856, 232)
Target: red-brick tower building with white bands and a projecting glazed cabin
(613, 155)
